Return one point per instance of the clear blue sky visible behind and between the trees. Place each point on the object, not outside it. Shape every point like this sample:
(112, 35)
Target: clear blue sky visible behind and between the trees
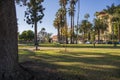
(51, 7)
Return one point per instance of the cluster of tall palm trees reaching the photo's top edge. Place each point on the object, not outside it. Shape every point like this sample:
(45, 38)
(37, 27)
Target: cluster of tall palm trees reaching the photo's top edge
(61, 20)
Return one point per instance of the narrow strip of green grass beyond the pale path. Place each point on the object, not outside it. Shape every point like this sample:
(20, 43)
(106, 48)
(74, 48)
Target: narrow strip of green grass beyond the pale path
(75, 45)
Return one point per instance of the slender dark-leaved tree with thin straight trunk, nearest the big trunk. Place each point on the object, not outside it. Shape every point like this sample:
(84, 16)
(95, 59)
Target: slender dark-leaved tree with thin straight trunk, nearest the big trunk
(34, 14)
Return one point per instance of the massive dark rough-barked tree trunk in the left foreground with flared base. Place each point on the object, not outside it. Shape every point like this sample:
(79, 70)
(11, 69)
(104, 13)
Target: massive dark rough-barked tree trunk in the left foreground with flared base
(9, 67)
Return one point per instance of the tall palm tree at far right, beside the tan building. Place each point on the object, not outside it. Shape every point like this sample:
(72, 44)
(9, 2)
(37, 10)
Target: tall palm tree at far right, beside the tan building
(114, 12)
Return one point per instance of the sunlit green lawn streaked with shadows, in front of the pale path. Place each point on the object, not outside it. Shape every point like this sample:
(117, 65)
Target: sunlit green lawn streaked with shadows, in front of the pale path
(77, 63)
